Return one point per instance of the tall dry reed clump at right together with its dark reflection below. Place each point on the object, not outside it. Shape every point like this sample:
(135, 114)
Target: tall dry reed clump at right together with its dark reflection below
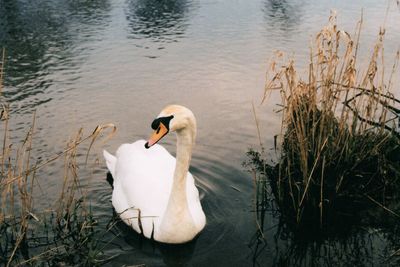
(333, 186)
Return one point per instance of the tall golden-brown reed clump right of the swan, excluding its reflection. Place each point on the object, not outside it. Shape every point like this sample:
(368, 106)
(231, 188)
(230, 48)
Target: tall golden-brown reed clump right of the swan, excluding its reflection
(340, 140)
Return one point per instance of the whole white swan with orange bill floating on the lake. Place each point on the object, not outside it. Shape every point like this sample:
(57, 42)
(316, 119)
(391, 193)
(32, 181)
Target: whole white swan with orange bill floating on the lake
(154, 193)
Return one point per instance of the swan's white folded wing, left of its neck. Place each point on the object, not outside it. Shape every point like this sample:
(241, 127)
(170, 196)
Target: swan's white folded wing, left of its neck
(143, 182)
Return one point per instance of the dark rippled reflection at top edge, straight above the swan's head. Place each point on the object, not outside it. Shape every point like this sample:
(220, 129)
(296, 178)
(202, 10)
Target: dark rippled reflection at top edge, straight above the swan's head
(158, 20)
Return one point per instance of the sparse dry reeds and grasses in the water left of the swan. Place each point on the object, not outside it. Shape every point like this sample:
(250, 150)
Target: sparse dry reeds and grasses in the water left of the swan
(64, 233)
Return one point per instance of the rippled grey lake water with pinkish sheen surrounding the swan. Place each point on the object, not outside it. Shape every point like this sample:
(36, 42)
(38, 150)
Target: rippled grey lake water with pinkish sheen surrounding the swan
(84, 63)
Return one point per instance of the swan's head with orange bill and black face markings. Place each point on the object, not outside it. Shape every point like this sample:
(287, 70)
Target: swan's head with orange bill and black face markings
(172, 118)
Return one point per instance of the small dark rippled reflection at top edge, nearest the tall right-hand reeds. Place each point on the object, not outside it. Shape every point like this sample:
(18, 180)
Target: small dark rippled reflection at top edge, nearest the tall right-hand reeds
(283, 15)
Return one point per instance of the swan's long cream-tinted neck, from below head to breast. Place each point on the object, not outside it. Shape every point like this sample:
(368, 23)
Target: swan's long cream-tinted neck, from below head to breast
(177, 212)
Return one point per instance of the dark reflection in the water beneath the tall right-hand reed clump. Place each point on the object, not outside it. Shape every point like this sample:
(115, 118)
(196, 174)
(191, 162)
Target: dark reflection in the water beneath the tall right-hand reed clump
(358, 232)
